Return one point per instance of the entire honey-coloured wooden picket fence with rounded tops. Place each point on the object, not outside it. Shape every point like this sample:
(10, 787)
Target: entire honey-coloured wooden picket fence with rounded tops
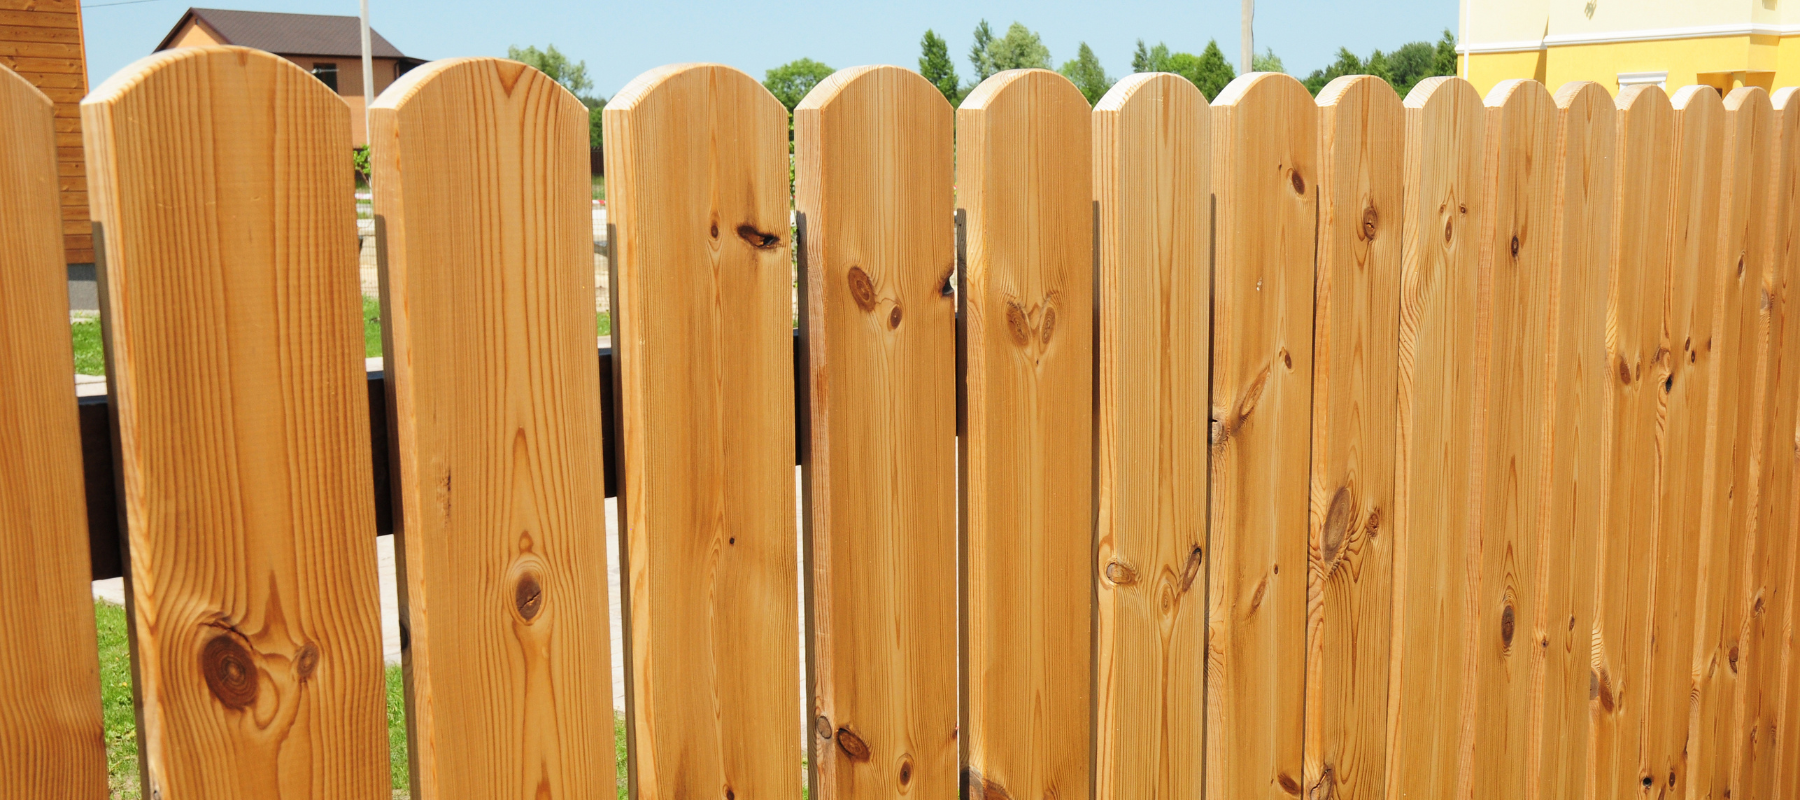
(1270, 448)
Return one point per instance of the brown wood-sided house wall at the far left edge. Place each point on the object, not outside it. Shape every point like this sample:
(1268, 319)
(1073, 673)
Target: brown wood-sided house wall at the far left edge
(42, 42)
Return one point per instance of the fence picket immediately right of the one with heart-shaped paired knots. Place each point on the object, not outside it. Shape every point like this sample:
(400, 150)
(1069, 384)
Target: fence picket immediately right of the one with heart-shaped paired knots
(1153, 194)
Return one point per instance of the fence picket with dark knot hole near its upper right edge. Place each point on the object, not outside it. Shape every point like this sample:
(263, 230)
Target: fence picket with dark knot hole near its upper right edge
(697, 199)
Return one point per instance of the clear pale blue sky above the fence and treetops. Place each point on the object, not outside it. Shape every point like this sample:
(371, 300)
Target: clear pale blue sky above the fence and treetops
(618, 41)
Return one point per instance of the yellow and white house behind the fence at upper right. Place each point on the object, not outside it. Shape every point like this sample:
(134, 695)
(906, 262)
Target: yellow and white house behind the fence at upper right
(1722, 44)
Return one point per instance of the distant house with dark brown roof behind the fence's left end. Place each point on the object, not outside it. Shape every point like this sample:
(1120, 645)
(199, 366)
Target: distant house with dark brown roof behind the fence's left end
(330, 48)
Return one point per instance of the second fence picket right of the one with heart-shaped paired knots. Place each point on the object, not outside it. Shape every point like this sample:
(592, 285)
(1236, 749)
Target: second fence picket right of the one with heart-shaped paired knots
(1266, 170)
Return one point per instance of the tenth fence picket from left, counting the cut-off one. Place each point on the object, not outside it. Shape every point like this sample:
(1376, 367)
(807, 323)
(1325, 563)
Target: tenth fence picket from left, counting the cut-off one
(1434, 554)
